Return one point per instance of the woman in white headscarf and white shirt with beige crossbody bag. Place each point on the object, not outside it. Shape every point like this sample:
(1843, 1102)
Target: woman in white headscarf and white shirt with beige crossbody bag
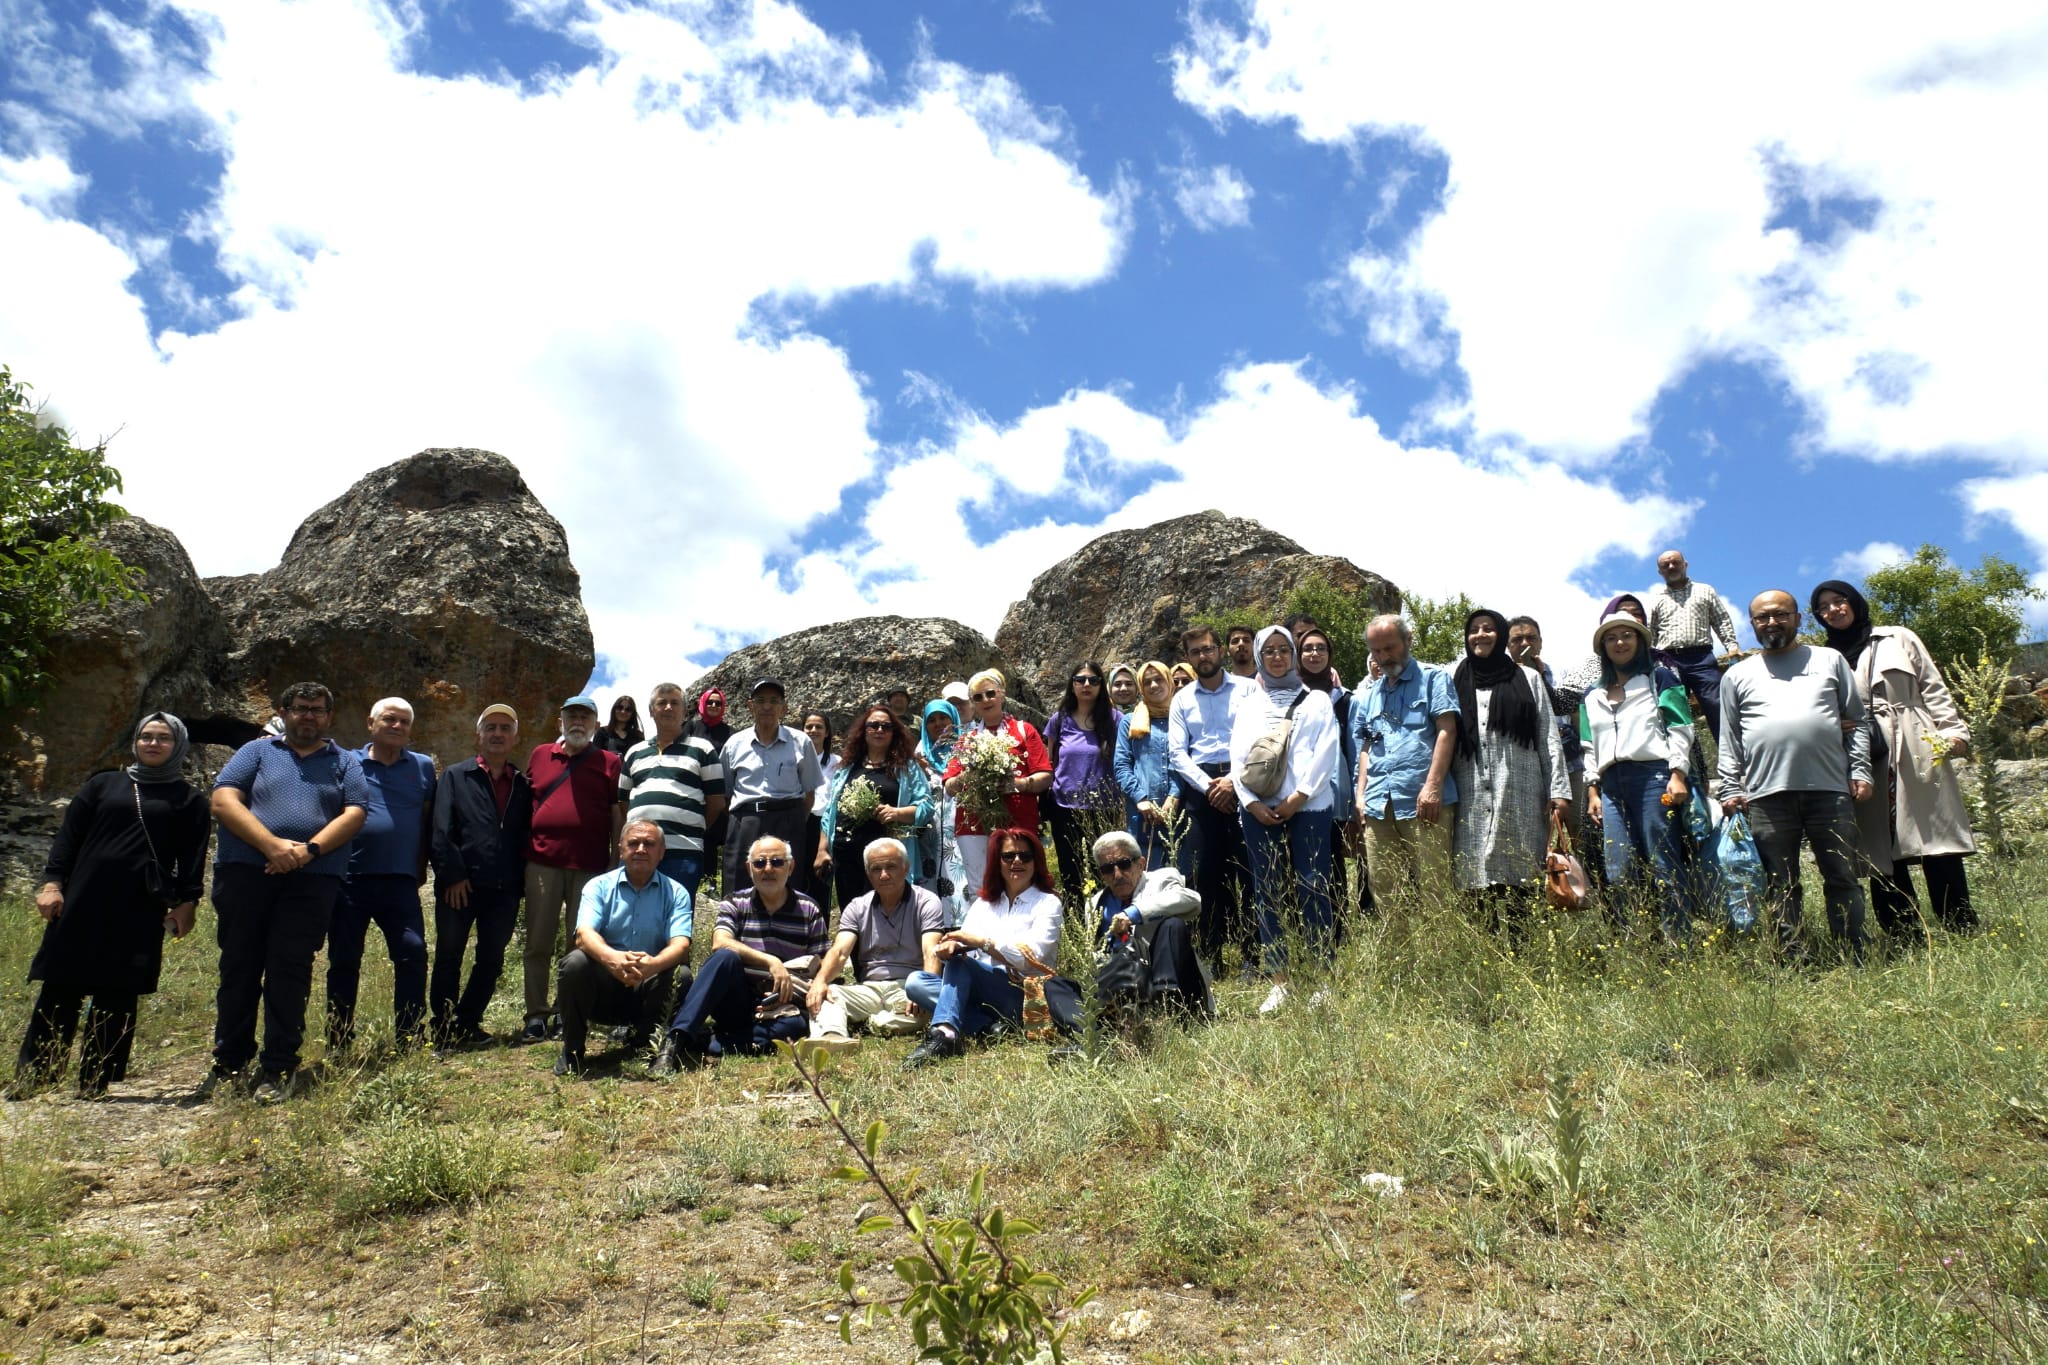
(1289, 830)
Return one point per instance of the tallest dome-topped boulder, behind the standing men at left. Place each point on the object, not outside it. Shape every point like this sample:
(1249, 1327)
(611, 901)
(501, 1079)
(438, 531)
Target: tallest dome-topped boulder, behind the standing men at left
(441, 580)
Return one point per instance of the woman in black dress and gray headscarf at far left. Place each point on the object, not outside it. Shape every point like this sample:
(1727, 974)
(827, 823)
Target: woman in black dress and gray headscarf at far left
(124, 869)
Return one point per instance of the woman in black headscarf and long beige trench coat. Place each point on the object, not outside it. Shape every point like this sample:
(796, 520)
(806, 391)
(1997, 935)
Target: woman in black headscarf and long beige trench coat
(1916, 811)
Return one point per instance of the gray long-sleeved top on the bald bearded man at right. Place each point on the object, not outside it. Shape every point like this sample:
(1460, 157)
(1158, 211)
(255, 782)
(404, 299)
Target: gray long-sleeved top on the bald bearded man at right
(1781, 725)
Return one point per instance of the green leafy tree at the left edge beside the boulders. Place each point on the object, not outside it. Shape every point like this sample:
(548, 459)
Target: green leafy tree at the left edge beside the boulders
(52, 507)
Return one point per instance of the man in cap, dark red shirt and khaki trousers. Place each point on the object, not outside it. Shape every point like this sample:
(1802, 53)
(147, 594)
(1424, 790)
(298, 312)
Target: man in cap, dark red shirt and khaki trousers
(574, 793)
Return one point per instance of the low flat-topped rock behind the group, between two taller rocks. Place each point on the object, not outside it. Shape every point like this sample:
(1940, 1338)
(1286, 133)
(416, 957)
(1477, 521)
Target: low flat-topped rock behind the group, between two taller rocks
(845, 666)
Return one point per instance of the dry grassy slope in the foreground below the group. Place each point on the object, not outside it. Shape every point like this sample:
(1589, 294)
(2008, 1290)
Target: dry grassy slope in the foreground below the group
(1609, 1151)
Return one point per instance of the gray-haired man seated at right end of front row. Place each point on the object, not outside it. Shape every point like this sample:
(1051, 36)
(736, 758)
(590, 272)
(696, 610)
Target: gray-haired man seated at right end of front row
(1142, 920)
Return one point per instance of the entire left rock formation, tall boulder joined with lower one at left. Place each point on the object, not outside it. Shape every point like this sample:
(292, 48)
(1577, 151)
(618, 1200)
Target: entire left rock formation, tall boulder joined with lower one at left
(437, 578)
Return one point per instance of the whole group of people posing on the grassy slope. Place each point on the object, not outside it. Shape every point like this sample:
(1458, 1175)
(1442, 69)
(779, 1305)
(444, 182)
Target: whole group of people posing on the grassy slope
(1215, 801)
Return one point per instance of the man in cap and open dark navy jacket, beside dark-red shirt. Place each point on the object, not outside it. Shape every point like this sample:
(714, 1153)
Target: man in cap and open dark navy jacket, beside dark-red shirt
(482, 822)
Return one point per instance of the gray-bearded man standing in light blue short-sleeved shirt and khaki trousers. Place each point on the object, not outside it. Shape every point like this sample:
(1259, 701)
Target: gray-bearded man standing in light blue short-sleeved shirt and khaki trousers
(1406, 732)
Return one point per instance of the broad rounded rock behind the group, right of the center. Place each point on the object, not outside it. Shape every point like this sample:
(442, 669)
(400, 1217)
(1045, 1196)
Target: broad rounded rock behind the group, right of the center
(1129, 595)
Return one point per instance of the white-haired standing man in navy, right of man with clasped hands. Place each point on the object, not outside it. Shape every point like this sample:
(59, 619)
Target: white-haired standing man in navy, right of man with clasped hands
(386, 871)
